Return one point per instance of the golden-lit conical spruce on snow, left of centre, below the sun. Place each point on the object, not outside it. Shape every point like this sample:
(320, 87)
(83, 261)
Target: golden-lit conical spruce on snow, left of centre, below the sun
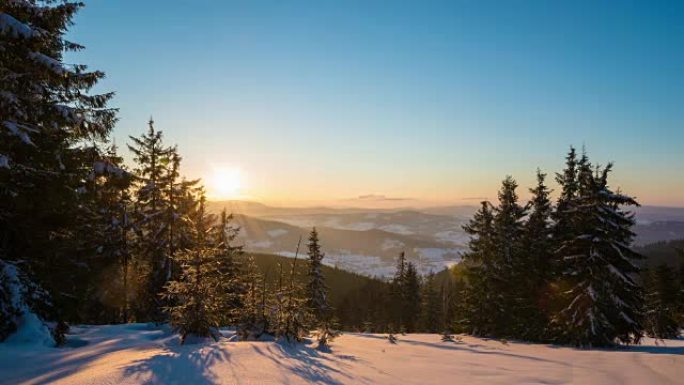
(197, 297)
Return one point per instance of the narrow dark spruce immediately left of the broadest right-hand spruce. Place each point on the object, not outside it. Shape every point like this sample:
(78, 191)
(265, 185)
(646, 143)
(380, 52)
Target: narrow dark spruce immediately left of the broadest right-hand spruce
(534, 266)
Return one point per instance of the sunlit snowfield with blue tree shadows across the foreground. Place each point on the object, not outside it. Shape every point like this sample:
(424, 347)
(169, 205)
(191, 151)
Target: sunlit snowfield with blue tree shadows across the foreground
(142, 354)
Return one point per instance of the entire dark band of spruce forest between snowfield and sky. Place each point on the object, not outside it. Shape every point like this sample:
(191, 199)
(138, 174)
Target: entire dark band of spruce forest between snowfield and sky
(84, 238)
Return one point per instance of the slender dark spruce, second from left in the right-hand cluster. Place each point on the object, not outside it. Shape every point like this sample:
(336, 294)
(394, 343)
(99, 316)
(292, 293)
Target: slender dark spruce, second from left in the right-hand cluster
(510, 260)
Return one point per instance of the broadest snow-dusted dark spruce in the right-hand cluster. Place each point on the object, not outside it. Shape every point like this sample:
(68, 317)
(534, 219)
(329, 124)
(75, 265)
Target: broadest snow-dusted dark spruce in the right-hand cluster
(604, 303)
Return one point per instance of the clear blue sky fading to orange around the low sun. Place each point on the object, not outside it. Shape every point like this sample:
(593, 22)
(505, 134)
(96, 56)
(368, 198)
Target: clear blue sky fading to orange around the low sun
(420, 102)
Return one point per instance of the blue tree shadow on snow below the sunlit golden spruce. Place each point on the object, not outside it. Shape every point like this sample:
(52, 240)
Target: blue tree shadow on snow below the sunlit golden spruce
(182, 365)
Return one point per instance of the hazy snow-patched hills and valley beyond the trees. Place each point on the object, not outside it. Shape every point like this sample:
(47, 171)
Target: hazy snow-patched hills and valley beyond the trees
(367, 241)
